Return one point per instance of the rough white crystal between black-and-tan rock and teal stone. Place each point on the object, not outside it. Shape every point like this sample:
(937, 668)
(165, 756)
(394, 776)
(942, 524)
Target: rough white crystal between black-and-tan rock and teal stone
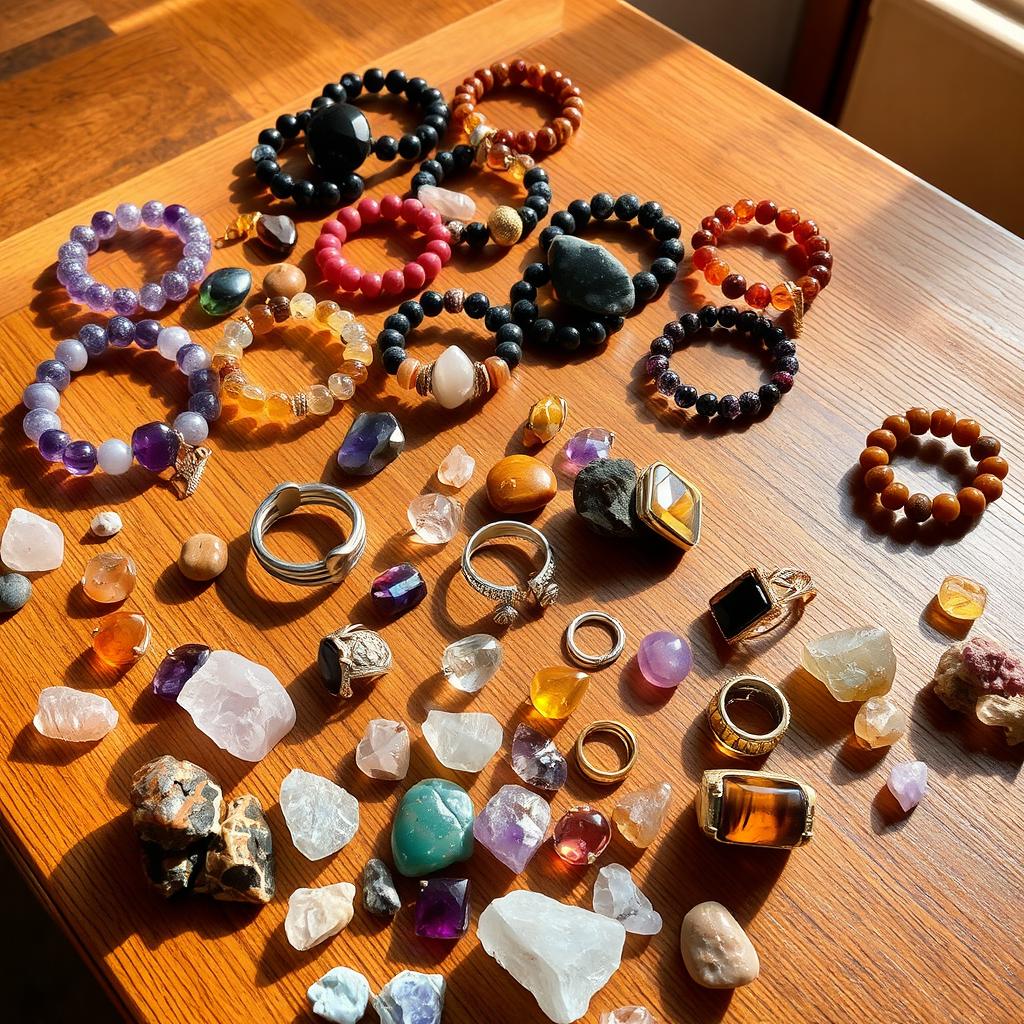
(322, 817)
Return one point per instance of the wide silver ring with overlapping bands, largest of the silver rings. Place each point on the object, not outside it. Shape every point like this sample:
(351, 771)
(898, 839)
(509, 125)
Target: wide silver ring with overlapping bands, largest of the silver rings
(337, 564)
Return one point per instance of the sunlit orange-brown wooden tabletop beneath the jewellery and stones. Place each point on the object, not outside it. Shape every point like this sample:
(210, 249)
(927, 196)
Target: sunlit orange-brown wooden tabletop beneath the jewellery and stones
(883, 917)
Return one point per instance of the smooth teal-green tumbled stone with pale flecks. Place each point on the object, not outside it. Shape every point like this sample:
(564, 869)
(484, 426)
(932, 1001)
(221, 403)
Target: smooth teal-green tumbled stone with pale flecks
(434, 828)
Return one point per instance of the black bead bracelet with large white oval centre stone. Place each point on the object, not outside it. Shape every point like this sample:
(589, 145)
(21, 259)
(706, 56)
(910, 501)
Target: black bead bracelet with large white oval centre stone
(453, 378)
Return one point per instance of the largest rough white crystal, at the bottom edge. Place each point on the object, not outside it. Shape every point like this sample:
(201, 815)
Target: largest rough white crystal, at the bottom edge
(562, 955)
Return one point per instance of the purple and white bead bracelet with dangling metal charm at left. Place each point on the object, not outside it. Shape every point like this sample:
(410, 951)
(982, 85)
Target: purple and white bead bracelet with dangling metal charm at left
(156, 446)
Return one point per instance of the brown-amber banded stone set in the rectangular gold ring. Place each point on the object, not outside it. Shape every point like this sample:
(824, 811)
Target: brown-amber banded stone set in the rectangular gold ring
(762, 812)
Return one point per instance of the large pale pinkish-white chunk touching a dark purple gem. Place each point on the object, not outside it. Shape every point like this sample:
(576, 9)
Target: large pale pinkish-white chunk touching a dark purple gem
(239, 704)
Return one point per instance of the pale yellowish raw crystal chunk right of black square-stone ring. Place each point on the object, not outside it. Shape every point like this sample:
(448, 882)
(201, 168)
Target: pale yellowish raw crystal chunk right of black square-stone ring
(855, 664)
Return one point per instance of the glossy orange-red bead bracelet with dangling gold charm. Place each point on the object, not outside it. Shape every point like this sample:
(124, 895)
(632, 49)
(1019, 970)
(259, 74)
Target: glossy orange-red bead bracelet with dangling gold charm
(794, 295)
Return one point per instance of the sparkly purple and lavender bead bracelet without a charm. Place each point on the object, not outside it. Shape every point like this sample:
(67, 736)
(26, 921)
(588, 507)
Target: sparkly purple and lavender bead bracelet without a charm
(84, 240)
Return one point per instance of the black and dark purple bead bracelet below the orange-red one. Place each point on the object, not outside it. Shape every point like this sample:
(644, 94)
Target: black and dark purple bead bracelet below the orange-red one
(781, 351)
